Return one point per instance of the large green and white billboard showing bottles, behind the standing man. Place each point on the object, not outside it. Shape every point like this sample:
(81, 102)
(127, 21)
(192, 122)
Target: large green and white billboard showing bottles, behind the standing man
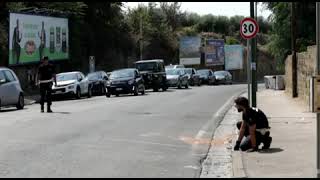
(32, 37)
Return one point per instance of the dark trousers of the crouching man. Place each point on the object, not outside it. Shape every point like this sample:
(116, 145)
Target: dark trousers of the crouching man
(246, 143)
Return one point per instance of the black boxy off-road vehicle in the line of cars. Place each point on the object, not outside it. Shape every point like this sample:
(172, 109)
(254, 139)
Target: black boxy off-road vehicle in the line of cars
(153, 73)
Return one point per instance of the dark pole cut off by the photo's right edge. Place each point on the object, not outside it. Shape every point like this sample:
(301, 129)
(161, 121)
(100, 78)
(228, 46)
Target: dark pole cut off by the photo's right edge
(318, 73)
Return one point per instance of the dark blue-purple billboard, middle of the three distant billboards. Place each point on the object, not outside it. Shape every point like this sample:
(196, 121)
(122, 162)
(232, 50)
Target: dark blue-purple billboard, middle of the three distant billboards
(214, 52)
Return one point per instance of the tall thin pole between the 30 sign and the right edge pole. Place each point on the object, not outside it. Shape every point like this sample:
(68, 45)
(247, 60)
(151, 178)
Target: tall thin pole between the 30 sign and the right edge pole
(293, 45)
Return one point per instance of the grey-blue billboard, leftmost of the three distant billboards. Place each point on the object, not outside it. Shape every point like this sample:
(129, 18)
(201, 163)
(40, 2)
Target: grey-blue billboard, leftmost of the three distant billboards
(190, 50)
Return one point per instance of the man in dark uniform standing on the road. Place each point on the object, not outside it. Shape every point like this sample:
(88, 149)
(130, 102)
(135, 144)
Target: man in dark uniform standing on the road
(46, 77)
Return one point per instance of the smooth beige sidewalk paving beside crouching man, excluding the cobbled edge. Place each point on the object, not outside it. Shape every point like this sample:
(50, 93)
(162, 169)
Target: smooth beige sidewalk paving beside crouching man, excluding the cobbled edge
(293, 151)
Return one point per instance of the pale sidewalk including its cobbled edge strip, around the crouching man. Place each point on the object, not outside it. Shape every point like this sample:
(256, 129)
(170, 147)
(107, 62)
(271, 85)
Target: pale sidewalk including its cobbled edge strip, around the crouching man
(292, 152)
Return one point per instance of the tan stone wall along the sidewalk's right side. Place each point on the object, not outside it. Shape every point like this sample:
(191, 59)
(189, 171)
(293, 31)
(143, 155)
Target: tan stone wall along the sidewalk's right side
(306, 63)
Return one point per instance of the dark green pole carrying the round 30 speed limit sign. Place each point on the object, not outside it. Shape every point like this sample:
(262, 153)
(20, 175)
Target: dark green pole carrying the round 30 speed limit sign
(253, 64)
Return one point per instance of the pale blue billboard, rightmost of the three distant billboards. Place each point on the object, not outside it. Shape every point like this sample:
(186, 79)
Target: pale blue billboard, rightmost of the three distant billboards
(233, 57)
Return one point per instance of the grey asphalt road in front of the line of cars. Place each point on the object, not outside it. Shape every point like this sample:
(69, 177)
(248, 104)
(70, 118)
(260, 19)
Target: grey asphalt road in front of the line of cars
(127, 136)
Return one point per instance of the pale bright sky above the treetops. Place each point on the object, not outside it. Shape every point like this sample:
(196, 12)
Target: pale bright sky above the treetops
(216, 8)
